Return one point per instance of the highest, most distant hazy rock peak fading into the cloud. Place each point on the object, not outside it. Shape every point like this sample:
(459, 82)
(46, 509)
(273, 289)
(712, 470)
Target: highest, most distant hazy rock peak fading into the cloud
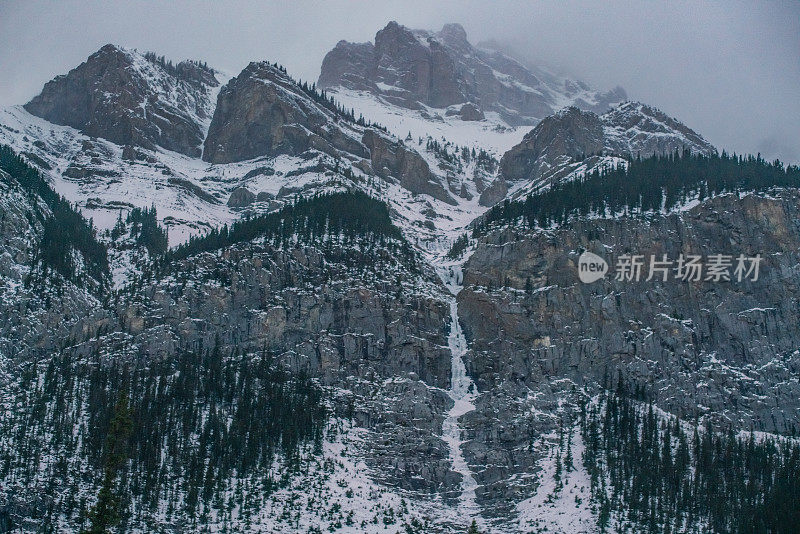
(410, 68)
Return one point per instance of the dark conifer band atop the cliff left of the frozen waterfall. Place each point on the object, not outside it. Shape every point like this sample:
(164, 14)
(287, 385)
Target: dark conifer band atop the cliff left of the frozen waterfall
(348, 215)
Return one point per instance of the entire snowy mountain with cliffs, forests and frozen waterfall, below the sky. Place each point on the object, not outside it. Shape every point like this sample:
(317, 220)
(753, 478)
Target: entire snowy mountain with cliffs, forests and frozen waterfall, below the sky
(330, 362)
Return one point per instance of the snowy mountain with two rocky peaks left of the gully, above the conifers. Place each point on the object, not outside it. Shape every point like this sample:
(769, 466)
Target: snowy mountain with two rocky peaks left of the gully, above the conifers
(269, 138)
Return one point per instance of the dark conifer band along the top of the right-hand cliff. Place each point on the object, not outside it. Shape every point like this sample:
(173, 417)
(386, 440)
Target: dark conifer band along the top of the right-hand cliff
(645, 185)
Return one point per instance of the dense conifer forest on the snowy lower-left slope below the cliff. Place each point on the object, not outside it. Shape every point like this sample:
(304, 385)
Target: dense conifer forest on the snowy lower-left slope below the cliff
(178, 438)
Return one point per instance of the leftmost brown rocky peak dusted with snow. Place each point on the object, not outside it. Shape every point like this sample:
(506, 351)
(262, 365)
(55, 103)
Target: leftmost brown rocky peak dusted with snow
(130, 99)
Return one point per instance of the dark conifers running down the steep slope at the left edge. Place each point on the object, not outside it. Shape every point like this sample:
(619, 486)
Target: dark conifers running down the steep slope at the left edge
(65, 229)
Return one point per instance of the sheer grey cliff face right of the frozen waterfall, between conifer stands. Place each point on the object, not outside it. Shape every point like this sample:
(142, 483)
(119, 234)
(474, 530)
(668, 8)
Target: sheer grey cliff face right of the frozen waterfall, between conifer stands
(722, 352)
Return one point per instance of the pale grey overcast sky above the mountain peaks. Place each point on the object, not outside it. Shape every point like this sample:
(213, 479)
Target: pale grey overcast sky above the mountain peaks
(729, 70)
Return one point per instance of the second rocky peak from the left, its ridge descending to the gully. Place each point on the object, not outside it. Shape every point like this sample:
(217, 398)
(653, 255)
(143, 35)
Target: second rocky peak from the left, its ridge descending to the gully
(264, 113)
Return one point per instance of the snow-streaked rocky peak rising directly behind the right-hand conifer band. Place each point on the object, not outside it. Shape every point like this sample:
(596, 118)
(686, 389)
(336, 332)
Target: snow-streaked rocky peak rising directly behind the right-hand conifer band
(559, 144)
